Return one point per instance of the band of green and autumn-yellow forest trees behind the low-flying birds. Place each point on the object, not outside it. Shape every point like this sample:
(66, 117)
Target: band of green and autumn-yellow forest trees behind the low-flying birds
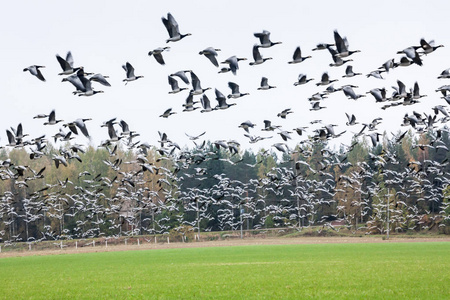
(79, 192)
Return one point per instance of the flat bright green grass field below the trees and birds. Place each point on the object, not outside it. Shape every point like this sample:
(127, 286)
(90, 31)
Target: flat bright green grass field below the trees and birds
(327, 271)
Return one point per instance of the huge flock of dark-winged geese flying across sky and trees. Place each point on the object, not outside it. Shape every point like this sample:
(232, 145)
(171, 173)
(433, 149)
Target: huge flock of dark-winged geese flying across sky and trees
(275, 181)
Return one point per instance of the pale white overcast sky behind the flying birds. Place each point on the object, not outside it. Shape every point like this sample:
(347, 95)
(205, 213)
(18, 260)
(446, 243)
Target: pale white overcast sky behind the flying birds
(103, 35)
